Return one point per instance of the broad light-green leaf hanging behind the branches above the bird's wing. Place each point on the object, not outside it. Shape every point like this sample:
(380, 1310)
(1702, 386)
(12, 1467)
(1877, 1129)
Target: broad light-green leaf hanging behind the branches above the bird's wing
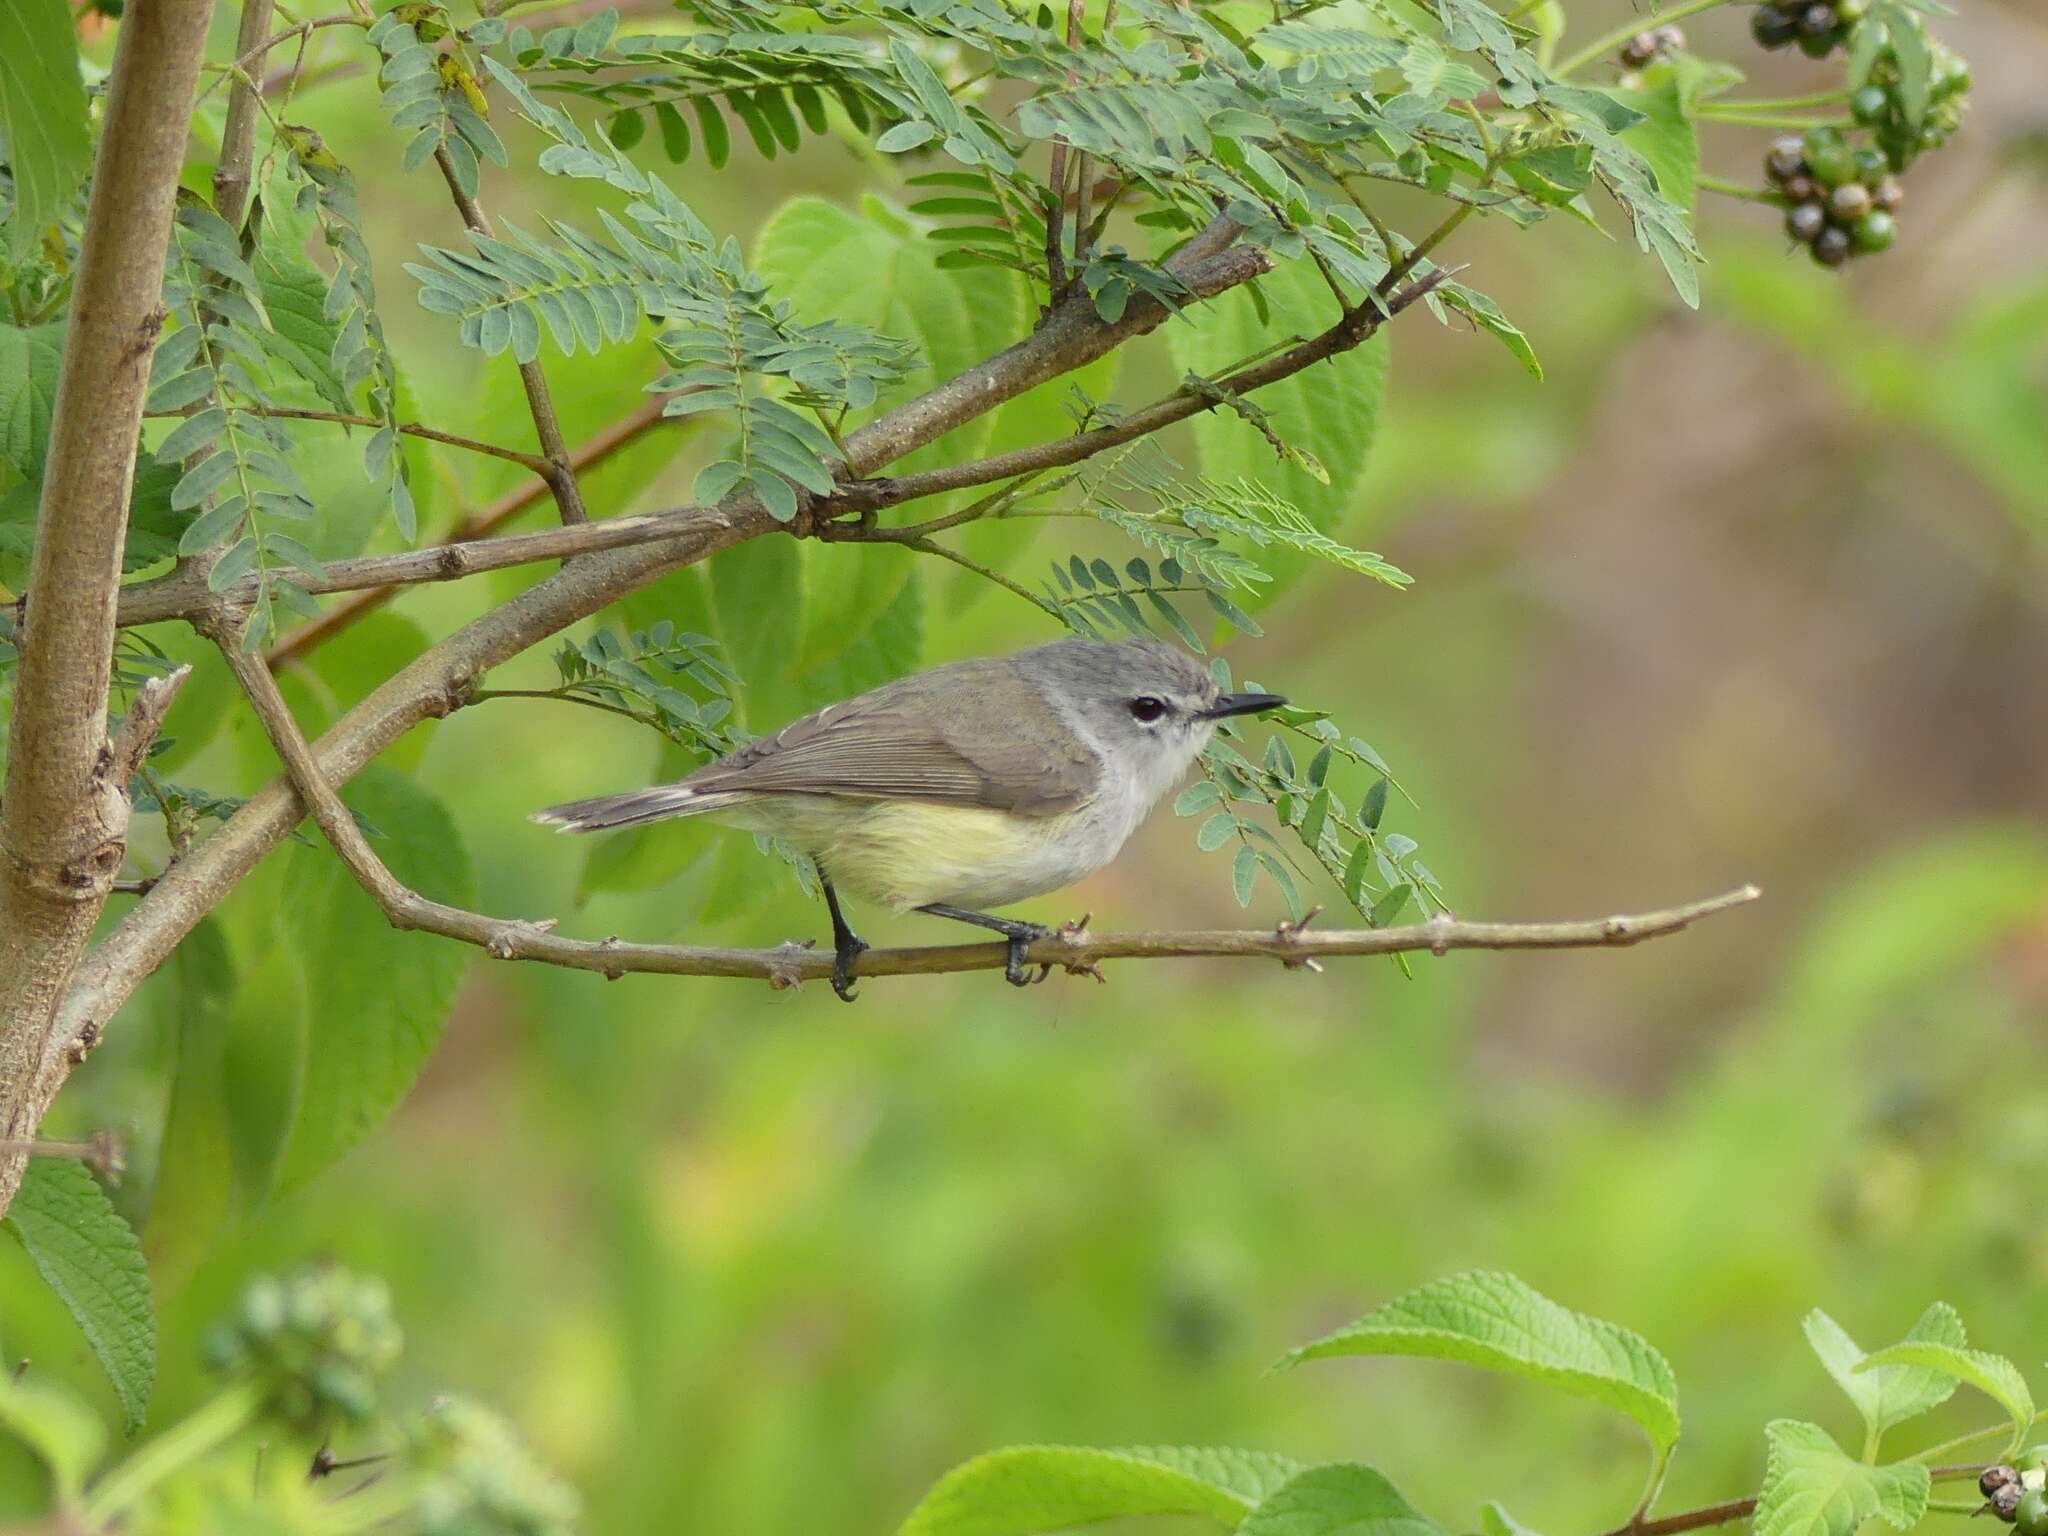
(871, 269)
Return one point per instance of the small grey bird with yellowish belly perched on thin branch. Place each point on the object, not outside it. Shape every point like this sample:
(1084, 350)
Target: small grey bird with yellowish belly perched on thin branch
(966, 787)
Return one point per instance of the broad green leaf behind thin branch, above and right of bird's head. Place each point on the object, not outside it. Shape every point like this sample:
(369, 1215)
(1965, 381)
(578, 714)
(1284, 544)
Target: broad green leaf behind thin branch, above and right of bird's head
(1330, 411)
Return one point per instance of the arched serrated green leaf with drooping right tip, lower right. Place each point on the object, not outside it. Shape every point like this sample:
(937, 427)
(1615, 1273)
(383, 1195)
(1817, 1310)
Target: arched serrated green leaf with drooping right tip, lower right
(1498, 1322)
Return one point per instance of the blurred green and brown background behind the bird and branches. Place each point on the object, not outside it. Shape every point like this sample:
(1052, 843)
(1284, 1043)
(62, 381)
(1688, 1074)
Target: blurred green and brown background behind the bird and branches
(1754, 593)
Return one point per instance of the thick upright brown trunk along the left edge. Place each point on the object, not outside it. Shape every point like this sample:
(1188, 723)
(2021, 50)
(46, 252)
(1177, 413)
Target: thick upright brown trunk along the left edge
(65, 814)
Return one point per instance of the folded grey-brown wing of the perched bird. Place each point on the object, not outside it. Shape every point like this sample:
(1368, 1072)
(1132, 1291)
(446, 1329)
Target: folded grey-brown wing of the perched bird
(894, 744)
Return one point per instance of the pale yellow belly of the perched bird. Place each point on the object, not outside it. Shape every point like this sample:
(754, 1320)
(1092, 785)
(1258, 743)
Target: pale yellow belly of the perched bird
(910, 855)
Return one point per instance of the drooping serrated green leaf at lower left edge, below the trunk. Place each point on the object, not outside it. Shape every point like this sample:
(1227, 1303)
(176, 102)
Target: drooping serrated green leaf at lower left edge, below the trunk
(93, 1261)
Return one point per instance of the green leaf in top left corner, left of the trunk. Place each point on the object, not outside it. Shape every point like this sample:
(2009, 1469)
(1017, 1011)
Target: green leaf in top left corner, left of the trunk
(42, 116)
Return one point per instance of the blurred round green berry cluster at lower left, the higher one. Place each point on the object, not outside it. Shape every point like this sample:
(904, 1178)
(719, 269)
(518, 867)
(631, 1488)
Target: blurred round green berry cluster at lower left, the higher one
(318, 1345)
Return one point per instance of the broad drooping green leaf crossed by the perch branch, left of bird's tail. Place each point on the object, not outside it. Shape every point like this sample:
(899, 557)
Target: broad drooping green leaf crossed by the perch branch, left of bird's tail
(376, 998)
